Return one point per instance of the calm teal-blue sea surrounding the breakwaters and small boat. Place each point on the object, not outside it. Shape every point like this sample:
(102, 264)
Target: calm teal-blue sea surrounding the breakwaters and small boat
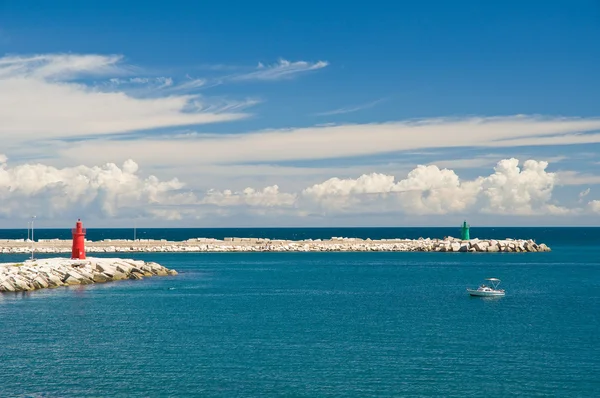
(315, 324)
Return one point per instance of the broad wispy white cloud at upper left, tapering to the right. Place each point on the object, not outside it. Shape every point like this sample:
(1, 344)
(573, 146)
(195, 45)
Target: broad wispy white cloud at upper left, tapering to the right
(38, 99)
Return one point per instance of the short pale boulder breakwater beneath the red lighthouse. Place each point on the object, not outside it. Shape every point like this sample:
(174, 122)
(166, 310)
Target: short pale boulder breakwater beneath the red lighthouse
(56, 272)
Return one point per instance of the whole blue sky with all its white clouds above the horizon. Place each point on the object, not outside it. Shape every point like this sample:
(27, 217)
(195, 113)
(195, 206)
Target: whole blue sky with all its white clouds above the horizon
(253, 114)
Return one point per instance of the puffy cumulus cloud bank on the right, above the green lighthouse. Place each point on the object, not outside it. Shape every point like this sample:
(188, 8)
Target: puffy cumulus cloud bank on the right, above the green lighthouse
(509, 190)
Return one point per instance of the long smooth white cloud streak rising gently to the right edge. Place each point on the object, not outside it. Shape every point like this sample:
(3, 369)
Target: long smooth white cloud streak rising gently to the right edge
(340, 141)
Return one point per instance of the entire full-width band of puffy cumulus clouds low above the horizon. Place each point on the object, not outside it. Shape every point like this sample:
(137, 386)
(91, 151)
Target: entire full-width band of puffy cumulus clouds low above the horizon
(113, 192)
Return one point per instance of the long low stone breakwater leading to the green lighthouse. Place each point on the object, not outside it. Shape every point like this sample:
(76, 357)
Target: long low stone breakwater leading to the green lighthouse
(335, 244)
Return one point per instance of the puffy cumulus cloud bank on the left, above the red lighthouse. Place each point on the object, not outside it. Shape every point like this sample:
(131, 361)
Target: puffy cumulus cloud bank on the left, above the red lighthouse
(106, 191)
